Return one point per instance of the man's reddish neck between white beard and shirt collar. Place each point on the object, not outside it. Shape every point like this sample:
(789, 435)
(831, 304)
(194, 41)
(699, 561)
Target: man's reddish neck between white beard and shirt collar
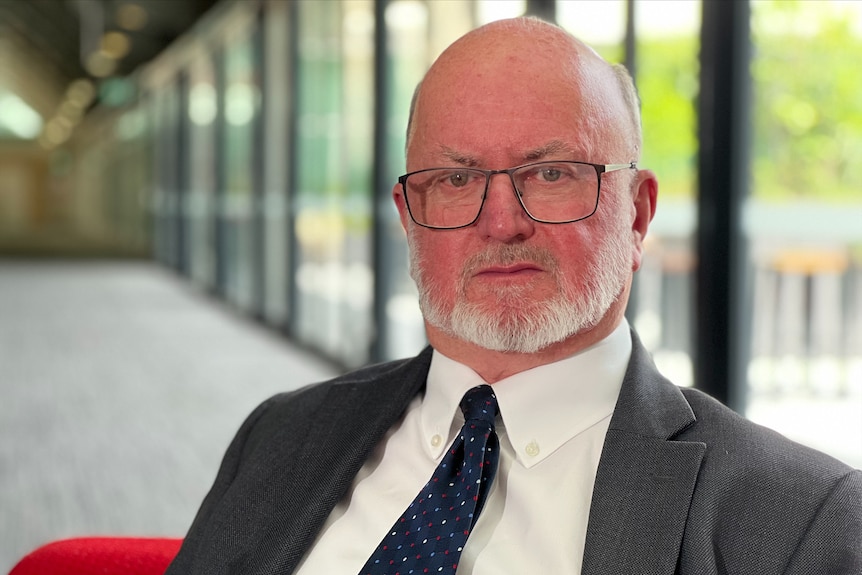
(492, 366)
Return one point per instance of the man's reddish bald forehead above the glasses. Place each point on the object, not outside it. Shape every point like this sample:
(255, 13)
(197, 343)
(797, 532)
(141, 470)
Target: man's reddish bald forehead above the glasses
(503, 105)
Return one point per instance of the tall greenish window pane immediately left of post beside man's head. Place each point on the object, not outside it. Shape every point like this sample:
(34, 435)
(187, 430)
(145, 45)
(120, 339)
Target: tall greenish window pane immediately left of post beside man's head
(332, 202)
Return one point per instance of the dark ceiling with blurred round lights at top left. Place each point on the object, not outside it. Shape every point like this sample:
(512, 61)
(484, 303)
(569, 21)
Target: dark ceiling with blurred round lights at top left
(45, 45)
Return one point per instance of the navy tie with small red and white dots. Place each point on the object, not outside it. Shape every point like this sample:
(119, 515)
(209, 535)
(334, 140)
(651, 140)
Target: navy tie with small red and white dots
(429, 536)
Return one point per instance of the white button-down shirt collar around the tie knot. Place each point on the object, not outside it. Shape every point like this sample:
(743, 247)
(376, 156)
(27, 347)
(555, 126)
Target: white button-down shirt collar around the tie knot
(541, 408)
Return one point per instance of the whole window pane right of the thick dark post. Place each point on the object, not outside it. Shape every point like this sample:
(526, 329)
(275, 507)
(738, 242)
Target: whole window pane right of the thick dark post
(804, 224)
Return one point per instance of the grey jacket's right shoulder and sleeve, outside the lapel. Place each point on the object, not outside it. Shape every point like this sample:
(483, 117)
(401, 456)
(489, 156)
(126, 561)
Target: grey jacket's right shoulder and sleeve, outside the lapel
(765, 503)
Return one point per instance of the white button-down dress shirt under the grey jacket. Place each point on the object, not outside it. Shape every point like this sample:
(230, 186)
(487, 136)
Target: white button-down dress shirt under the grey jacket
(552, 425)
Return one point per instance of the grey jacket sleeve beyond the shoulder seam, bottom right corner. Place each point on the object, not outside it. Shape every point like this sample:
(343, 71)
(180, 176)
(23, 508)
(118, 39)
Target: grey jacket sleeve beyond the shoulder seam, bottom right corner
(832, 544)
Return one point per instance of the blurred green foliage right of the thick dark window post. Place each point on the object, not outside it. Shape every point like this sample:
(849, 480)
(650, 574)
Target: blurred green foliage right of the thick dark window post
(807, 117)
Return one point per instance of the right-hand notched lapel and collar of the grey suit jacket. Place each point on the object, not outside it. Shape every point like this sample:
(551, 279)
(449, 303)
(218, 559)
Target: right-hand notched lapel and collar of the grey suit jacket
(645, 480)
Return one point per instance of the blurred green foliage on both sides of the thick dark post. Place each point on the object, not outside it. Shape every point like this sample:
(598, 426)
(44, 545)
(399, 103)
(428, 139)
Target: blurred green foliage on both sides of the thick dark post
(806, 104)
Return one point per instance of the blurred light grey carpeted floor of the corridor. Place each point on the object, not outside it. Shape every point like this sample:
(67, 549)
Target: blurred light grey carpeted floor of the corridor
(121, 388)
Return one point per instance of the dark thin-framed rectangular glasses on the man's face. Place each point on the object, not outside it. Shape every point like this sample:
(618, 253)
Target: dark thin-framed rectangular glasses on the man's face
(549, 192)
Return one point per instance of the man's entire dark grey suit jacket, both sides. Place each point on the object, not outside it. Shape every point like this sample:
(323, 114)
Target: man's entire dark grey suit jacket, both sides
(684, 485)
